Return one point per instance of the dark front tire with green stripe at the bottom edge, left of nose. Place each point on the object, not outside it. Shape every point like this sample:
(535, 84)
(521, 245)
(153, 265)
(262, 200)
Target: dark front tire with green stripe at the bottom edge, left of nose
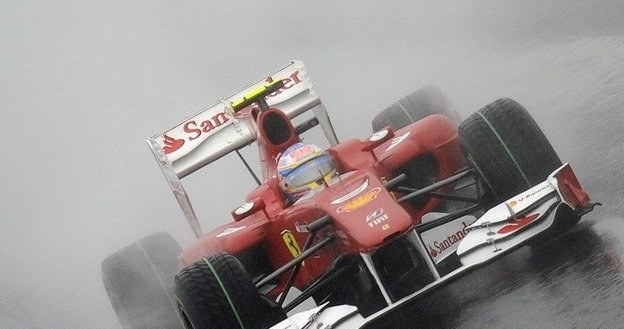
(218, 293)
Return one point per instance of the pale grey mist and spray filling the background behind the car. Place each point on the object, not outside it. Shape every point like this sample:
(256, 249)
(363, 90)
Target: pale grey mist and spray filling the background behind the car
(82, 83)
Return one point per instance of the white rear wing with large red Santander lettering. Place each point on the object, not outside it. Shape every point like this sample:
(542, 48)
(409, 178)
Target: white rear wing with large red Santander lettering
(217, 131)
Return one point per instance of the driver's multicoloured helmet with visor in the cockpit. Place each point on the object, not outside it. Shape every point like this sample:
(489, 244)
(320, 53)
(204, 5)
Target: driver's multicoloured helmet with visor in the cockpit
(302, 168)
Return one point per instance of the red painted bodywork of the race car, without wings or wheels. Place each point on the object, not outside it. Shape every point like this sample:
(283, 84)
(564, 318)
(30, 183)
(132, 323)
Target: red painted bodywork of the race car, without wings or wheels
(365, 215)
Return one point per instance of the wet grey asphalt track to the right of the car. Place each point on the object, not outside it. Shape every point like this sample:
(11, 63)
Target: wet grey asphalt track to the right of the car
(576, 280)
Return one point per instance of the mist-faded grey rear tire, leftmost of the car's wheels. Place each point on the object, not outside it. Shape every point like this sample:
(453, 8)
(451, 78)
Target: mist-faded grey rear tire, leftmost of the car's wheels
(138, 280)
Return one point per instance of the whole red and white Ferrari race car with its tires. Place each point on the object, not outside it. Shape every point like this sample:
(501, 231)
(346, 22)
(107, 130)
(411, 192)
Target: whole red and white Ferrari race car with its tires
(420, 202)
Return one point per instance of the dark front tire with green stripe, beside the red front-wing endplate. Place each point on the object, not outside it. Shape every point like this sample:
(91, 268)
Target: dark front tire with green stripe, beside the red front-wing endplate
(507, 147)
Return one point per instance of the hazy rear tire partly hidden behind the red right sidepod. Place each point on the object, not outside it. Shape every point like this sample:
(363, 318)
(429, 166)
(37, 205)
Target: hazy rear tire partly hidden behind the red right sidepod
(413, 107)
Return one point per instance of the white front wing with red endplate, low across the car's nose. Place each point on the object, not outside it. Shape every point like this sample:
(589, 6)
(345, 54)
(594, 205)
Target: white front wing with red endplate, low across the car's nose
(499, 231)
